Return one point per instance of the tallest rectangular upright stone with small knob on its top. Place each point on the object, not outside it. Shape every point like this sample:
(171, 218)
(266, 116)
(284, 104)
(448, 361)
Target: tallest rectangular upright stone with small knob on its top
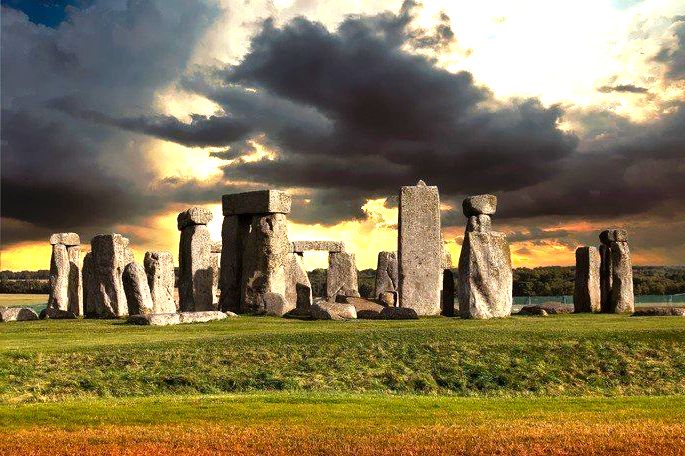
(420, 249)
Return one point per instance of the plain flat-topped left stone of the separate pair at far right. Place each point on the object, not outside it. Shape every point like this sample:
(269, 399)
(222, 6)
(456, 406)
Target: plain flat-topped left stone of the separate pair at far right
(586, 292)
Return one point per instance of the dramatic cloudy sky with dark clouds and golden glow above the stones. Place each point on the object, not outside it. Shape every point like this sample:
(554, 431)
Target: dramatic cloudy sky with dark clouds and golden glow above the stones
(117, 115)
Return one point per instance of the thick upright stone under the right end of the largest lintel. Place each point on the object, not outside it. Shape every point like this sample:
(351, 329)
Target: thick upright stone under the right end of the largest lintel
(266, 262)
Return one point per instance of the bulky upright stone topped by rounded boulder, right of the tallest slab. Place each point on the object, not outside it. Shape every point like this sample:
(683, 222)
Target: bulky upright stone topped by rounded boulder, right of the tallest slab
(485, 274)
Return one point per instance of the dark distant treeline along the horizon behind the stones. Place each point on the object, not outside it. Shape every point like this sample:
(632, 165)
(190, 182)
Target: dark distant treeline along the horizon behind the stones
(542, 281)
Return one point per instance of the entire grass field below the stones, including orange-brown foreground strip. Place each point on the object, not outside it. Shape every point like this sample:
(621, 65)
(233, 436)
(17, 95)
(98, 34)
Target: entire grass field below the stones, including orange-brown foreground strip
(569, 384)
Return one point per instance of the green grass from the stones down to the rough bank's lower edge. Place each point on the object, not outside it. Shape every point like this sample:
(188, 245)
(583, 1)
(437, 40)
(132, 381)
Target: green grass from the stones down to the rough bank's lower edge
(568, 355)
